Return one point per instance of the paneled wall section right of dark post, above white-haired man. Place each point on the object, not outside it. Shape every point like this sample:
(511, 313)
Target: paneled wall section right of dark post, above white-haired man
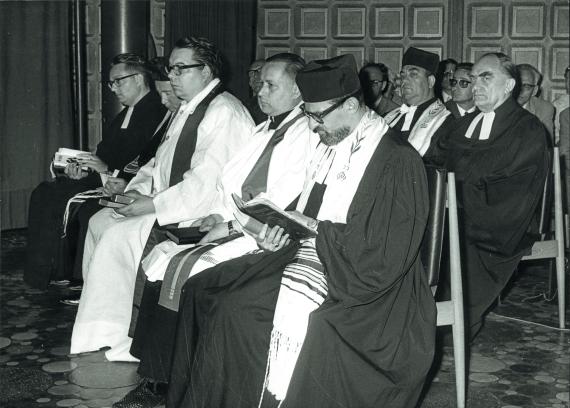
(529, 31)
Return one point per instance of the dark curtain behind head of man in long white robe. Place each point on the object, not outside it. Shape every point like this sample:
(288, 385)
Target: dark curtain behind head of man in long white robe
(230, 24)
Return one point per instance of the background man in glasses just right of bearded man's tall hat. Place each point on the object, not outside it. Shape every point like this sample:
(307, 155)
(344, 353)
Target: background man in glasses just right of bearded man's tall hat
(374, 80)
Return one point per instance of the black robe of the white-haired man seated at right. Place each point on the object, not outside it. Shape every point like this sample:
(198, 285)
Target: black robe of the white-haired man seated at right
(499, 187)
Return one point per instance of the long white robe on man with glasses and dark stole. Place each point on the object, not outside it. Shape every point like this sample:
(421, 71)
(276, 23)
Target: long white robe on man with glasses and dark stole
(114, 244)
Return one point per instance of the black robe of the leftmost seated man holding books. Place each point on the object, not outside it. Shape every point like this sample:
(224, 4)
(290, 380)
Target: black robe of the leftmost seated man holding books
(47, 202)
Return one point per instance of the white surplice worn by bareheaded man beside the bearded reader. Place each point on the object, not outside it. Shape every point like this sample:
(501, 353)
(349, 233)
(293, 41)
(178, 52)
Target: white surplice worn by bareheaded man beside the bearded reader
(287, 170)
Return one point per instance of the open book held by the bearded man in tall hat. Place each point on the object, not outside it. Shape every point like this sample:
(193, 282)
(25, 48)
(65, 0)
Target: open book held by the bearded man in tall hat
(266, 212)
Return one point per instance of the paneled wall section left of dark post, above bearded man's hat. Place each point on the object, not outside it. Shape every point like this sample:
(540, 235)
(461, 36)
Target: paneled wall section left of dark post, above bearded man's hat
(371, 30)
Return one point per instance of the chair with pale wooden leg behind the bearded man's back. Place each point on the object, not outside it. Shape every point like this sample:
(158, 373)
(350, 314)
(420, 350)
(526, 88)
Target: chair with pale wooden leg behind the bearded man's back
(448, 312)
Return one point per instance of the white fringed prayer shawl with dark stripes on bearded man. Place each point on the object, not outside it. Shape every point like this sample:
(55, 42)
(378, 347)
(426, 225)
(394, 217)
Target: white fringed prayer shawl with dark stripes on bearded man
(303, 284)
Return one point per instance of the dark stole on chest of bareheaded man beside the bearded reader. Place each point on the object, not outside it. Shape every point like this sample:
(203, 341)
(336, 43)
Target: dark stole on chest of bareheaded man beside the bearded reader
(256, 181)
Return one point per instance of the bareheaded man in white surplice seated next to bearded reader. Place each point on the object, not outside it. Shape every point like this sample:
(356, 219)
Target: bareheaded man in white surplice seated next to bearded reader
(272, 165)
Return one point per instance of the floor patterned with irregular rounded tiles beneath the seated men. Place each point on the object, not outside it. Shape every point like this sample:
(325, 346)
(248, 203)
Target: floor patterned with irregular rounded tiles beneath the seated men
(513, 363)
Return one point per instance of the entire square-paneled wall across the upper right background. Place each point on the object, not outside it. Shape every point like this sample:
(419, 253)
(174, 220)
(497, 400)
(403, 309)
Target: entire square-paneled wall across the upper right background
(533, 31)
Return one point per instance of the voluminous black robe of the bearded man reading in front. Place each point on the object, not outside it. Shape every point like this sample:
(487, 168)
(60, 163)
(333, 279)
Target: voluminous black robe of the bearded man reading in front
(370, 343)
